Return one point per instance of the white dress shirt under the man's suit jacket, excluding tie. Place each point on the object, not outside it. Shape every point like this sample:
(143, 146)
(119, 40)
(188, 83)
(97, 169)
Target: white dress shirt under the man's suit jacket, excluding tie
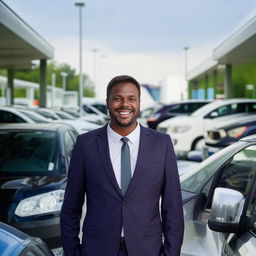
(115, 145)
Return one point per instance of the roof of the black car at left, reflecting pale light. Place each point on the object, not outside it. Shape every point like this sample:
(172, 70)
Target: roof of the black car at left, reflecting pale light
(35, 126)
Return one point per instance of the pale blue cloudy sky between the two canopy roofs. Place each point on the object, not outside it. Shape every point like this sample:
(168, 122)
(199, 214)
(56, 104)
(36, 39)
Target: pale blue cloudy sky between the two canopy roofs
(142, 38)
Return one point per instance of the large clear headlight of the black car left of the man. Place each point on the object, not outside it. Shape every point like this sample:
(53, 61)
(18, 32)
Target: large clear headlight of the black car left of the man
(40, 204)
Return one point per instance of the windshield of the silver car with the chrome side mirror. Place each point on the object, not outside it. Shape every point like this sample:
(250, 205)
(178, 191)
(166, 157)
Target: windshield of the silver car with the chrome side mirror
(193, 180)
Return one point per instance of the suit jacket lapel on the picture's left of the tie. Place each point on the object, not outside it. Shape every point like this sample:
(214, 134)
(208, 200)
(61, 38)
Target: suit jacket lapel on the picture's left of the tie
(105, 157)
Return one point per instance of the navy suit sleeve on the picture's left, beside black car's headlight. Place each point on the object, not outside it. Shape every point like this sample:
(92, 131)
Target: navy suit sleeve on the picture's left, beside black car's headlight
(73, 202)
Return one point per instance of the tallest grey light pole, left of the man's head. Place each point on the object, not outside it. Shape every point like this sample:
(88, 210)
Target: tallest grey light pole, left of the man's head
(80, 101)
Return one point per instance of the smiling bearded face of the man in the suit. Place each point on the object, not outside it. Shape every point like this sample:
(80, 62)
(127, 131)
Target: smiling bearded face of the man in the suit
(124, 105)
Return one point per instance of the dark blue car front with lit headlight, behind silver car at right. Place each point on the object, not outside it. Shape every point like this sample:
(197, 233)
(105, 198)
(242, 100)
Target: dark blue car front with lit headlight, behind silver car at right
(227, 132)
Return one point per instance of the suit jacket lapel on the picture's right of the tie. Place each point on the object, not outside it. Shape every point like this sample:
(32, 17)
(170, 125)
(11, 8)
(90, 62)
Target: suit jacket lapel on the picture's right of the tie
(143, 155)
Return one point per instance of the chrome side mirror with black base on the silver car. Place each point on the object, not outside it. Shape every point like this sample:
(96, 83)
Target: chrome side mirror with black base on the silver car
(226, 211)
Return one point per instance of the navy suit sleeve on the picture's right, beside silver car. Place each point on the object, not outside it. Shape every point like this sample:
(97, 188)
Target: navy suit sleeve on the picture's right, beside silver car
(171, 206)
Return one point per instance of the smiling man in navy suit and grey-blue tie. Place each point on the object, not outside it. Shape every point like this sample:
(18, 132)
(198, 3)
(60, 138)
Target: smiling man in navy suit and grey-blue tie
(124, 169)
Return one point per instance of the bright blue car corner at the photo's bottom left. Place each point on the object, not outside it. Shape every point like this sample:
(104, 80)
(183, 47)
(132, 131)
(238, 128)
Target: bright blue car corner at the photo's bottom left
(16, 243)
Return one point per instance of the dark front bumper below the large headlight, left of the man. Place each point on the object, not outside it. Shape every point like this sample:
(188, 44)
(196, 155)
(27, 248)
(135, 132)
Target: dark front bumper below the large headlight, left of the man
(48, 230)
